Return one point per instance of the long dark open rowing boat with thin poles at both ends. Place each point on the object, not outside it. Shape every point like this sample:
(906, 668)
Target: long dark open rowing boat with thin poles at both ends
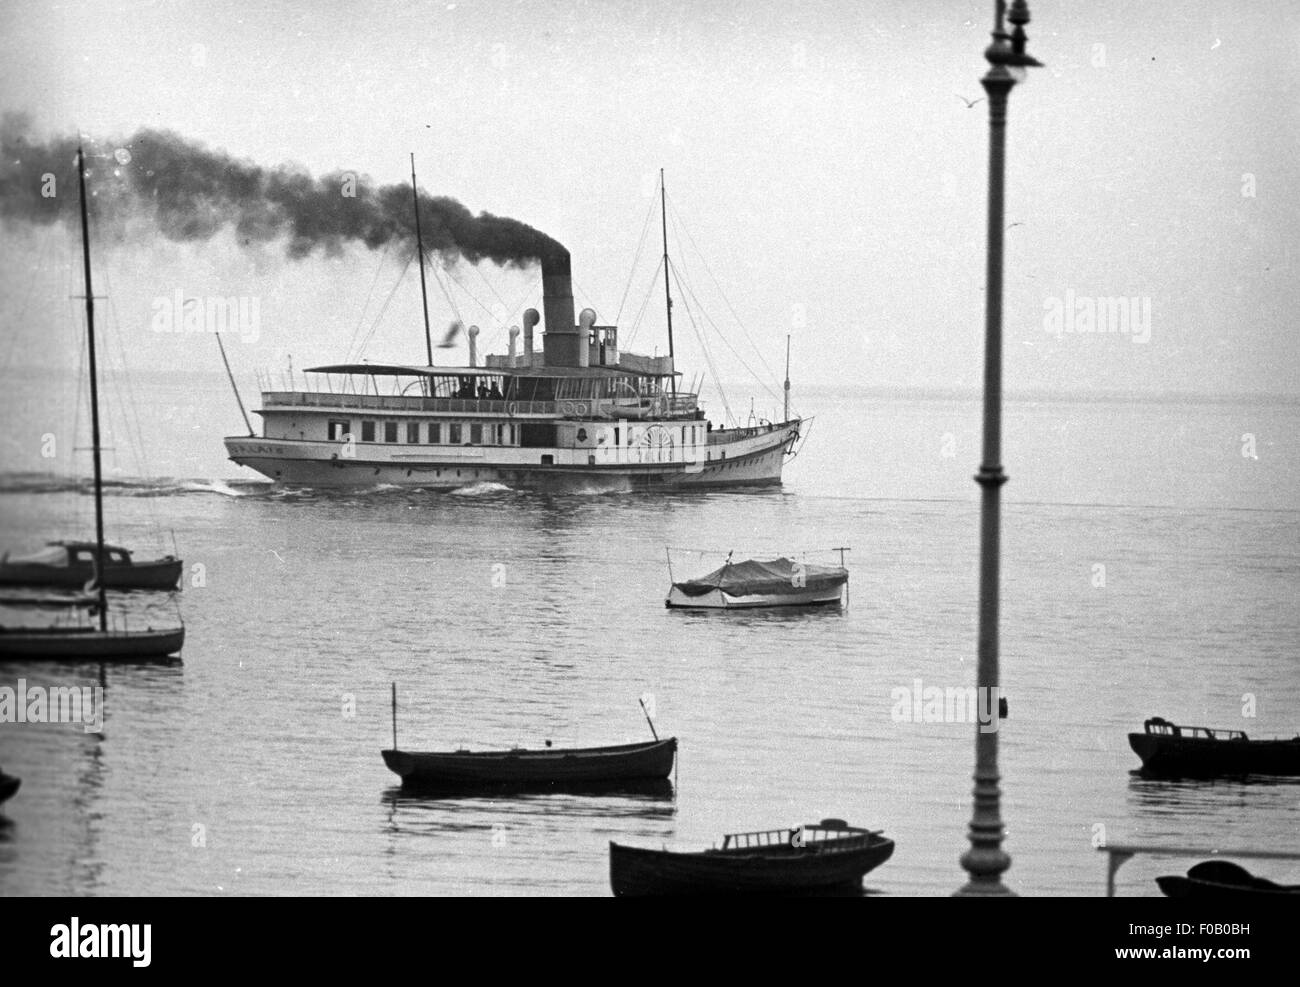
(534, 770)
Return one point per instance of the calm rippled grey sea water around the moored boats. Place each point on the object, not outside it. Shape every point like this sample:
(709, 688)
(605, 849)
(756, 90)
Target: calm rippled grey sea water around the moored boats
(510, 618)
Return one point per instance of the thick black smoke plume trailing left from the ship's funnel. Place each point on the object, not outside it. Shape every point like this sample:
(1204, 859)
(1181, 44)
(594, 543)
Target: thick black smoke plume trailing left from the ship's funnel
(189, 193)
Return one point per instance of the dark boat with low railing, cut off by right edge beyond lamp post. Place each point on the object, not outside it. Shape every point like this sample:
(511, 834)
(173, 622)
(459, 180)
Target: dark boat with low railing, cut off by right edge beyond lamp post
(1169, 751)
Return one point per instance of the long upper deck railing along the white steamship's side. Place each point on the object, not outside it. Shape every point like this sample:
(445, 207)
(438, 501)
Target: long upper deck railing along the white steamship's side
(578, 408)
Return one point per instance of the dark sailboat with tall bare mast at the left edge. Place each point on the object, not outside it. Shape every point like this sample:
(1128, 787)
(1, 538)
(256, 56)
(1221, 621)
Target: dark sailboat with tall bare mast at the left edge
(98, 642)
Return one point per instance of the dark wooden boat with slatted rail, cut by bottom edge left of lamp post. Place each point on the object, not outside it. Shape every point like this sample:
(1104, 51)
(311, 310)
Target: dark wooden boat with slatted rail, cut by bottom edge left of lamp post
(824, 859)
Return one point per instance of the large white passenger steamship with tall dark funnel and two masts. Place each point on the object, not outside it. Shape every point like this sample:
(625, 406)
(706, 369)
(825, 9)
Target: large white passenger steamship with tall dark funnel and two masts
(579, 413)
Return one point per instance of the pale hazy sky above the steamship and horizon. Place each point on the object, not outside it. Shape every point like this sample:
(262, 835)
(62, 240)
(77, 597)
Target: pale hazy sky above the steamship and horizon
(817, 153)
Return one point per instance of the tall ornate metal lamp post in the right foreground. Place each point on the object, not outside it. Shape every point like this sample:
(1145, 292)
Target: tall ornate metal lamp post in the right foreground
(986, 860)
